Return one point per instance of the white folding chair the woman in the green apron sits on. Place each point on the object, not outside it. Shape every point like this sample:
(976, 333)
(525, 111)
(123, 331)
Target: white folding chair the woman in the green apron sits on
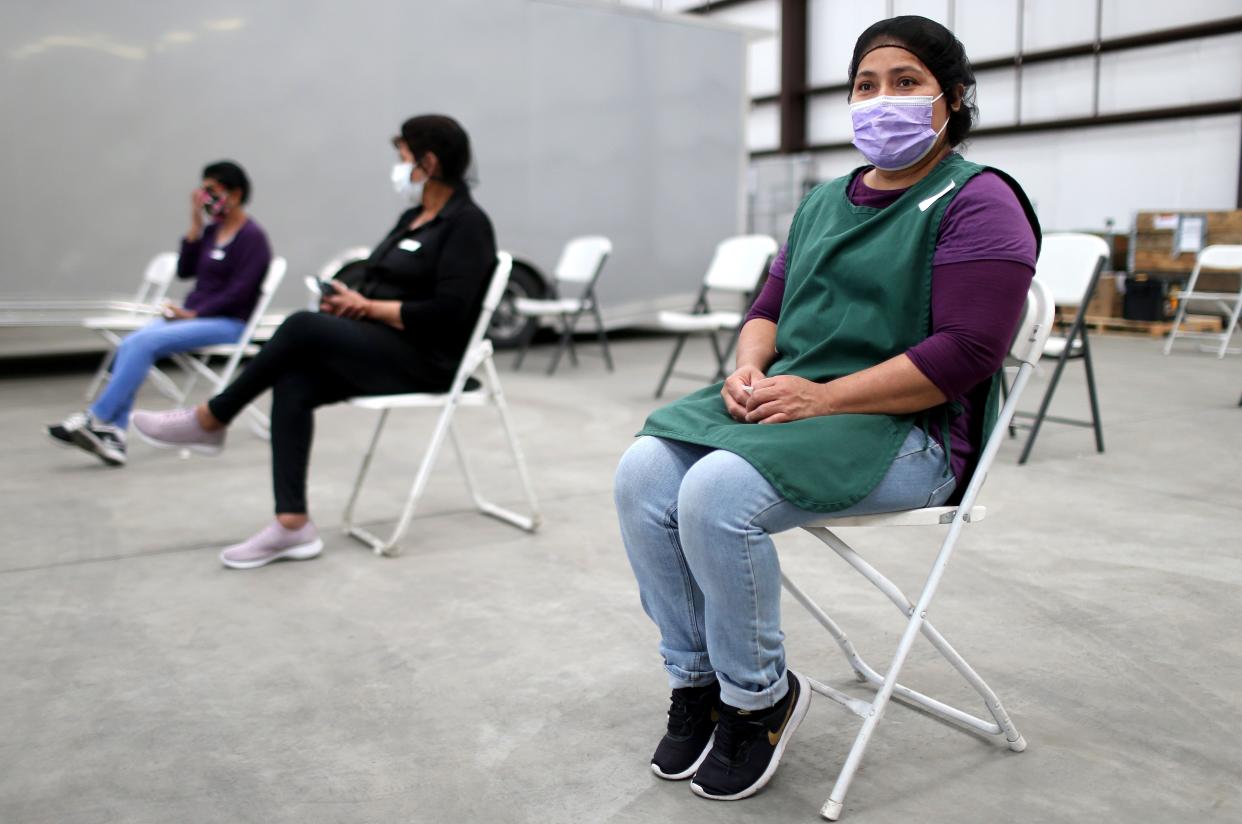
(1024, 352)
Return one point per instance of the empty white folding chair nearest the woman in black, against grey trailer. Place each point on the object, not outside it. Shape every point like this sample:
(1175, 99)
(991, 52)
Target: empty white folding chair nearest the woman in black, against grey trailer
(581, 264)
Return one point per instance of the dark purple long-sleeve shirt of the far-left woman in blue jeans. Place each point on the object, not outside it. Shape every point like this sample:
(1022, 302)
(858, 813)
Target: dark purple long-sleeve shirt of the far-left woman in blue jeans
(228, 278)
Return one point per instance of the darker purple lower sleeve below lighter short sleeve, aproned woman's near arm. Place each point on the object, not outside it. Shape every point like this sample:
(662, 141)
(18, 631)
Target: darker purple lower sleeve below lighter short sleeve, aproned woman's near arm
(976, 310)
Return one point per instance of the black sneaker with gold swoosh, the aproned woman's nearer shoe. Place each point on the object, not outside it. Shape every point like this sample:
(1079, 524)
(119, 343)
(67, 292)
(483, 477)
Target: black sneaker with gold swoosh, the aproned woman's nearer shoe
(750, 745)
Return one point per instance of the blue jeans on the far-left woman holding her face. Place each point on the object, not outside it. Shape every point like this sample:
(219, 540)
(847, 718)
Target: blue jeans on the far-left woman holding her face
(145, 347)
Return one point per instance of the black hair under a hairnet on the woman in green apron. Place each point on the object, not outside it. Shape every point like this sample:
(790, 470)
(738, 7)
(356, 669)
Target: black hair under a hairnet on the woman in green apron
(945, 57)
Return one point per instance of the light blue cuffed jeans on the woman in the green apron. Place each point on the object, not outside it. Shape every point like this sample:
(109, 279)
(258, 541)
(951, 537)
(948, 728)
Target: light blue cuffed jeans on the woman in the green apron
(697, 525)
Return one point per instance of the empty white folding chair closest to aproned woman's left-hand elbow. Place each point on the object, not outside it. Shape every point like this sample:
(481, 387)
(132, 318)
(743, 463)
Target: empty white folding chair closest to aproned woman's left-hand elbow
(736, 269)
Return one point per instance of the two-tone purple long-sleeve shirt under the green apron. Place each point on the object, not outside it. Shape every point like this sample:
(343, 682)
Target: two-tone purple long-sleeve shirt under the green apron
(981, 274)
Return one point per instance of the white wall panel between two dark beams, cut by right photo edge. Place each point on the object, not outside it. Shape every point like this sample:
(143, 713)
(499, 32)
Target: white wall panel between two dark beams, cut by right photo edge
(1188, 73)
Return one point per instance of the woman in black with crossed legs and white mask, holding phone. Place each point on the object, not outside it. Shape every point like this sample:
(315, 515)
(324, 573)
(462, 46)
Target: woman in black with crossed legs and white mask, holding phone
(402, 326)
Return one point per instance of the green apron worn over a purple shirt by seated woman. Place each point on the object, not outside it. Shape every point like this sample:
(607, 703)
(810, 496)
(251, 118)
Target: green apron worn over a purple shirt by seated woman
(858, 293)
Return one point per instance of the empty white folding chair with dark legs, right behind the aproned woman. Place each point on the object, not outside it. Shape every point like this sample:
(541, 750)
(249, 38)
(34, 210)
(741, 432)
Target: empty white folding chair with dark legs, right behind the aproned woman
(1070, 265)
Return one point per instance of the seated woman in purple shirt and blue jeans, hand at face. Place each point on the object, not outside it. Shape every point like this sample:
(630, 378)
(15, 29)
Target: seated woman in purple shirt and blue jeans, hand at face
(228, 254)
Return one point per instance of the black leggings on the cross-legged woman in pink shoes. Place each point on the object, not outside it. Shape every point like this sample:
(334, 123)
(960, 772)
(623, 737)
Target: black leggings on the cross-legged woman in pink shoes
(316, 360)
